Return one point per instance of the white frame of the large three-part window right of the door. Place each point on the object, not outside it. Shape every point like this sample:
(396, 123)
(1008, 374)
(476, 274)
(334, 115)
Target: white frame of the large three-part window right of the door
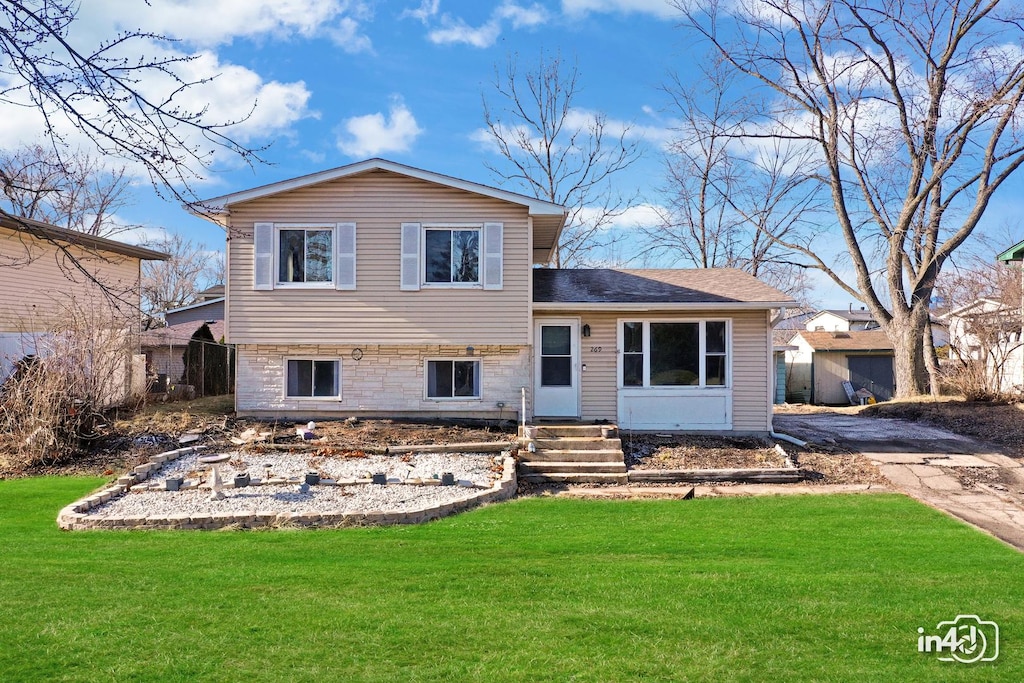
(703, 354)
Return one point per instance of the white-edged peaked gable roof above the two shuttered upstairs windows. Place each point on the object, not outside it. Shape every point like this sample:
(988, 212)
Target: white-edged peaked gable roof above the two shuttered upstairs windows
(549, 219)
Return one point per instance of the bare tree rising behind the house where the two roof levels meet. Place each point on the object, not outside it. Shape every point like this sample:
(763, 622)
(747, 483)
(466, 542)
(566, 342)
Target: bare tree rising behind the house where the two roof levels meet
(558, 153)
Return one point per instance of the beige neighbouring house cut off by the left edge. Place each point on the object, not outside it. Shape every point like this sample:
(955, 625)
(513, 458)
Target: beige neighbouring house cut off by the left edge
(74, 297)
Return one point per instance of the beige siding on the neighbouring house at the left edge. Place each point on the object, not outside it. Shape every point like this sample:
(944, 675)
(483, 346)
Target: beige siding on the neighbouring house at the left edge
(40, 282)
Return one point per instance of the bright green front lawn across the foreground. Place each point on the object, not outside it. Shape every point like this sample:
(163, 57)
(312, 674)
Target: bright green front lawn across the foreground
(781, 589)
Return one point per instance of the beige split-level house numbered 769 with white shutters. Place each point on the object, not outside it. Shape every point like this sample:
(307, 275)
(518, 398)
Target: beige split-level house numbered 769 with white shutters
(381, 289)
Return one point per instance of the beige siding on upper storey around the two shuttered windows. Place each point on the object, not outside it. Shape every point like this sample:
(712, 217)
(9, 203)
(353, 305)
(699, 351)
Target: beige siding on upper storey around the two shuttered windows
(378, 312)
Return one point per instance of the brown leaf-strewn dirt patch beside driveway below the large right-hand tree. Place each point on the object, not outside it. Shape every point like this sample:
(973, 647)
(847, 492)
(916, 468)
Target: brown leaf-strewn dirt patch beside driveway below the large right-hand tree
(1002, 424)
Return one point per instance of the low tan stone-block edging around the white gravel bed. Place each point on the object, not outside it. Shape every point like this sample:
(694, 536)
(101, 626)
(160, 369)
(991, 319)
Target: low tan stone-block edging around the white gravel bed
(76, 518)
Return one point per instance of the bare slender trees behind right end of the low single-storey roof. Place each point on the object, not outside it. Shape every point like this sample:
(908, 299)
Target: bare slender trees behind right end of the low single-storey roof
(732, 204)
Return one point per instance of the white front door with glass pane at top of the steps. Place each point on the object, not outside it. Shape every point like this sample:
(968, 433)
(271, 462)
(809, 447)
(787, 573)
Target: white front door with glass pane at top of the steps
(557, 369)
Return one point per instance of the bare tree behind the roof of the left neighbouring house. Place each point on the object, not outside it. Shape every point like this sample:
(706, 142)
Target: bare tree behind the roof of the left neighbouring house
(76, 192)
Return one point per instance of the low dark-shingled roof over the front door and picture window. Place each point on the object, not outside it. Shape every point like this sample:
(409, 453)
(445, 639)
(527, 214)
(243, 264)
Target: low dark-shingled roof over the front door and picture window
(668, 288)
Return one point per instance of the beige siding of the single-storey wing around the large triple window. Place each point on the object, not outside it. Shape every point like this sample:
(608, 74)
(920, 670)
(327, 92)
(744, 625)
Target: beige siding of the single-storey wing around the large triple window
(600, 383)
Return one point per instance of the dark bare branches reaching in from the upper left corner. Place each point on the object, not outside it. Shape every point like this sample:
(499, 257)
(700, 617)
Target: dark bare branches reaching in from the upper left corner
(97, 92)
